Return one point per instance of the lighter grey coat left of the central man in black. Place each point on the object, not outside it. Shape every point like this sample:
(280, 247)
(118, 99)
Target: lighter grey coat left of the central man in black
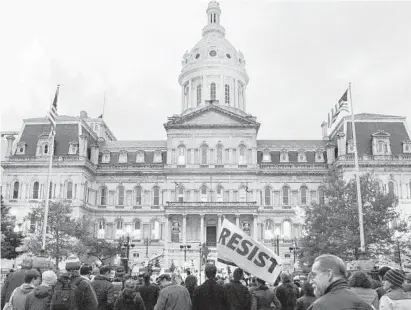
(173, 297)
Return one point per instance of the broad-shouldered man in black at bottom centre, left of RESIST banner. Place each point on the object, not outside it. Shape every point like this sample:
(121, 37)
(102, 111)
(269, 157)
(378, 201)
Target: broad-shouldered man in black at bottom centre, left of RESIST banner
(210, 295)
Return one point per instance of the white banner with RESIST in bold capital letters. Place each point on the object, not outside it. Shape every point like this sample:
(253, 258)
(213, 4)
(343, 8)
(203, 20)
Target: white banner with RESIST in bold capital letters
(236, 247)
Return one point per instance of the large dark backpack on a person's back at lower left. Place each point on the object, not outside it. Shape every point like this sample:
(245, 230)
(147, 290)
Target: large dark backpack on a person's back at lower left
(65, 295)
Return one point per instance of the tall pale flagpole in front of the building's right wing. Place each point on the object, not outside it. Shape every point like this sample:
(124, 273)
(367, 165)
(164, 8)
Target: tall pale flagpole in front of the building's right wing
(357, 178)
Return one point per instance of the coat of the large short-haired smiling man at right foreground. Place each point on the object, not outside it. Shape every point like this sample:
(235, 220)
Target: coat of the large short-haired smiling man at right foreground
(339, 297)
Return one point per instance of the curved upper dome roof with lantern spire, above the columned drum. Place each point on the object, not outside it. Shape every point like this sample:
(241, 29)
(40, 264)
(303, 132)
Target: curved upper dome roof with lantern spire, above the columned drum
(213, 48)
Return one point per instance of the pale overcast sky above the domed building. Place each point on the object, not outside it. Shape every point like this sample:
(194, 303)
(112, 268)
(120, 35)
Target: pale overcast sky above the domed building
(300, 57)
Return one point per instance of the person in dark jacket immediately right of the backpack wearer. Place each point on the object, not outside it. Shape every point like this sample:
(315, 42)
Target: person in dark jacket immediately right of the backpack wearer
(104, 289)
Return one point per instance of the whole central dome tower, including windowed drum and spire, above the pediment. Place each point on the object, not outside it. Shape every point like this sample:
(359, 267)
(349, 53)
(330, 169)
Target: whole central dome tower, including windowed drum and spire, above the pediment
(213, 70)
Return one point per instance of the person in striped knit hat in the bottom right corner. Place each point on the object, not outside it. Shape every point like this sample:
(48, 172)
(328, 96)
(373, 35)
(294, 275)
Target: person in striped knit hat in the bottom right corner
(395, 298)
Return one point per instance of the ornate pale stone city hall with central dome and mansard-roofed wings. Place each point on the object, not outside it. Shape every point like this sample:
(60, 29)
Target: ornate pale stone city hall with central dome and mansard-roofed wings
(210, 167)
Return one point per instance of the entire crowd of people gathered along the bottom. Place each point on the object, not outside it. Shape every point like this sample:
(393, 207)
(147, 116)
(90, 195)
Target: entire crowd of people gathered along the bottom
(328, 286)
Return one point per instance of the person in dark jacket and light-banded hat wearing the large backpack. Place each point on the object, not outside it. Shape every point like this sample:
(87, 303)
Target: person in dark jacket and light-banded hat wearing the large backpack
(87, 297)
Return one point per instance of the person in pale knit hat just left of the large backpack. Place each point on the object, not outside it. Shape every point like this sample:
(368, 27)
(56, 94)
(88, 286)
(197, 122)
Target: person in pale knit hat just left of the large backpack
(40, 297)
